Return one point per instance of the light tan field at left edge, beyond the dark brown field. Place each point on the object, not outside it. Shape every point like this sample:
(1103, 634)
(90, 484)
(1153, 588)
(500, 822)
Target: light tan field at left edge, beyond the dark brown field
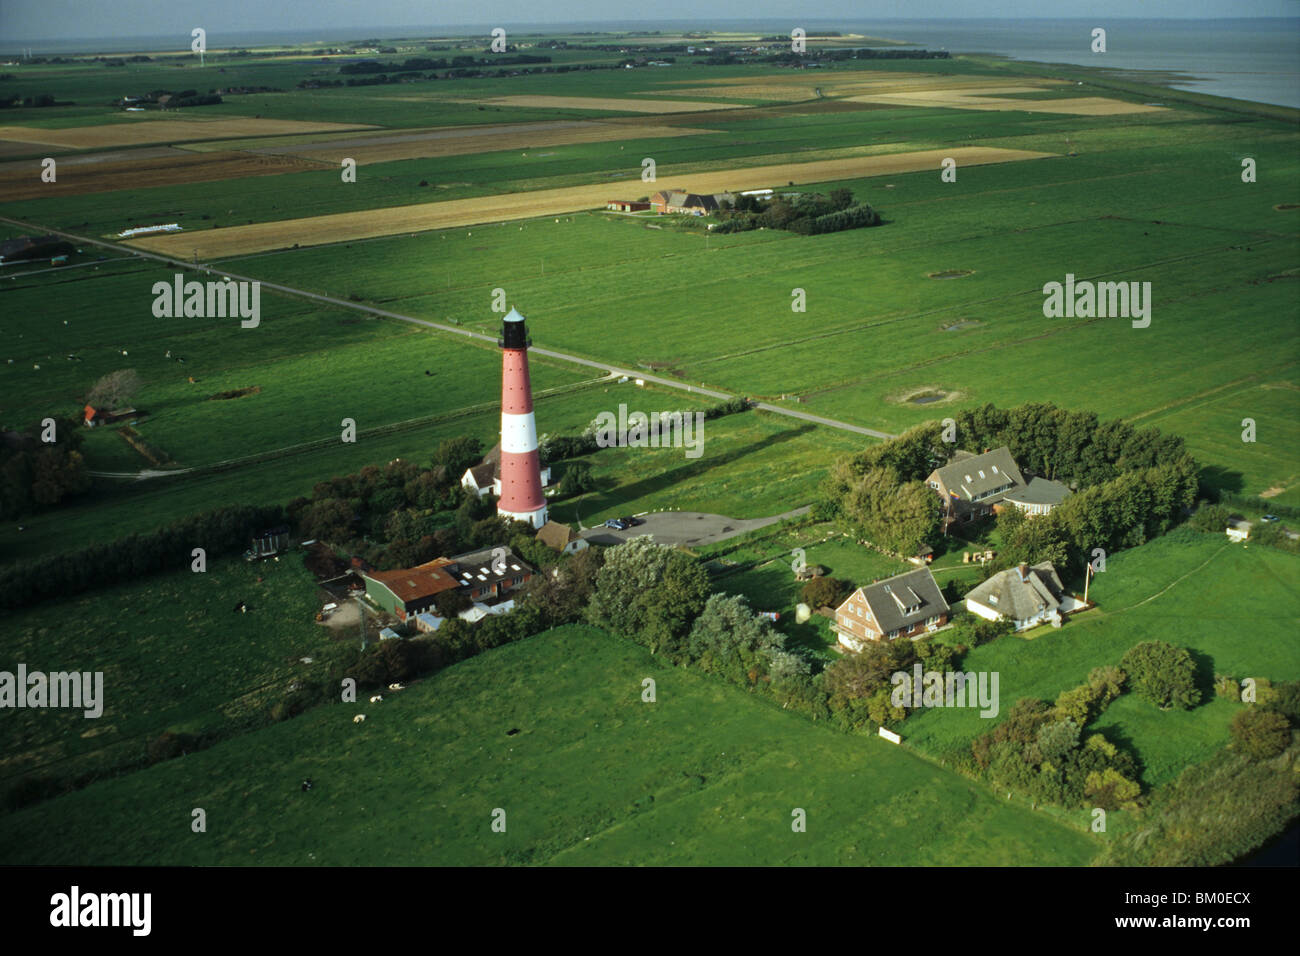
(138, 131)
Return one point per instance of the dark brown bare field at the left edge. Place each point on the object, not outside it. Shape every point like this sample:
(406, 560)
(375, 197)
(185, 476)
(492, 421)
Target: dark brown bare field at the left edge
(18, 180)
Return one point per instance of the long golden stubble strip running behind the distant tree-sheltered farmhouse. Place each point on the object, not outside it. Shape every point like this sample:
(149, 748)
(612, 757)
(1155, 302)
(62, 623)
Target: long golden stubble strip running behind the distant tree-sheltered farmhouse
(462, 213)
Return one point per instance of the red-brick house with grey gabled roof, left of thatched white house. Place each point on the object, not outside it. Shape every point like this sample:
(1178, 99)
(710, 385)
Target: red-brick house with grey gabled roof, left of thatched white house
(907, 605)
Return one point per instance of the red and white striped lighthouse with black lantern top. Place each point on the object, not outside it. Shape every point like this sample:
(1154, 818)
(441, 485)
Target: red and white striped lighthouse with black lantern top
(521, 468)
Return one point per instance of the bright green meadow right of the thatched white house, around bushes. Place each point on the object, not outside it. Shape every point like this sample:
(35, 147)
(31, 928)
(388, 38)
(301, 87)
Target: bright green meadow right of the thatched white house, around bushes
(1193, 591)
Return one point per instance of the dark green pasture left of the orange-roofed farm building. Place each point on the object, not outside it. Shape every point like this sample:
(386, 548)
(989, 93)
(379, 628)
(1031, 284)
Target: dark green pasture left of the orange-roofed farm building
(175, 656)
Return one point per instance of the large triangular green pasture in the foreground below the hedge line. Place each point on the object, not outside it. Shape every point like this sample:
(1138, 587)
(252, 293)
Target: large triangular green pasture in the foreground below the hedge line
(705, 776)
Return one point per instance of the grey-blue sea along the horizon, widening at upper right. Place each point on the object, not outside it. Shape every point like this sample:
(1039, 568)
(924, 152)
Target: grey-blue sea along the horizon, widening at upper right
(1249, 59)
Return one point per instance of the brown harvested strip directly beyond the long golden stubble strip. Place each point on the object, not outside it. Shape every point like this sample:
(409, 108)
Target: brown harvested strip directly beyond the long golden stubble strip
(461, 141)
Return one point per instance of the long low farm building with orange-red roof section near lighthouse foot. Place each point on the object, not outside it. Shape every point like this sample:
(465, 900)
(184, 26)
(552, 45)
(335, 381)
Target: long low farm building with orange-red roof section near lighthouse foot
(479, 576)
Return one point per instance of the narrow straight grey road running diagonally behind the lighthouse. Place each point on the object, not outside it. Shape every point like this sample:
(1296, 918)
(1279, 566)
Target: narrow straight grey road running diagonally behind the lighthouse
(452, 330)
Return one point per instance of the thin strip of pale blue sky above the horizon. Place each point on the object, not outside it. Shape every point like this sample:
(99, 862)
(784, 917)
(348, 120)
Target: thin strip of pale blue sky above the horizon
(105, 19)
